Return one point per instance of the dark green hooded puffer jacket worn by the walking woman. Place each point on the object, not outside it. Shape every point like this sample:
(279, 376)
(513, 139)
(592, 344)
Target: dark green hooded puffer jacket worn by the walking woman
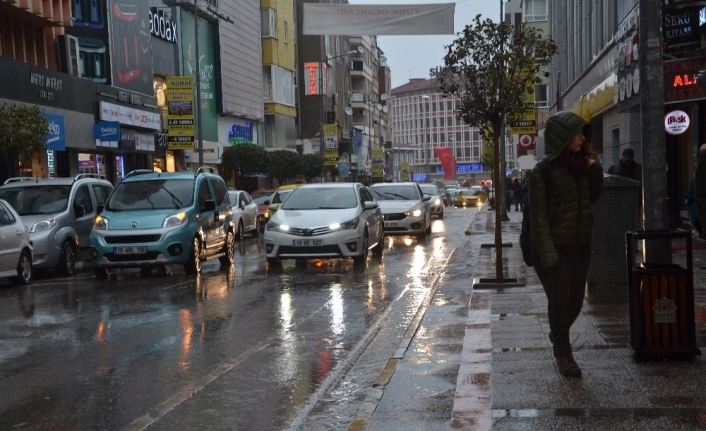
(566, 220)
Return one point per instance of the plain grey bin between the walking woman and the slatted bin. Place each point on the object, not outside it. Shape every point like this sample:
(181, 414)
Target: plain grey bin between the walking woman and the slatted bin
(616, 212)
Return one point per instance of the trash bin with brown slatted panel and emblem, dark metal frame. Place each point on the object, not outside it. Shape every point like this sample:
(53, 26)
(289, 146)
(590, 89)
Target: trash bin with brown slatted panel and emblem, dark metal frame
(661, 301)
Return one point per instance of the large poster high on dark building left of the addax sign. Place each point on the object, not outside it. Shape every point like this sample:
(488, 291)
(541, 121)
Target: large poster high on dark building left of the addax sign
(130, 44)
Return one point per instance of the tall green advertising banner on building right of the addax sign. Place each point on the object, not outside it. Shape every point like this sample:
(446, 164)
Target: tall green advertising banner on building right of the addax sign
(206, 65)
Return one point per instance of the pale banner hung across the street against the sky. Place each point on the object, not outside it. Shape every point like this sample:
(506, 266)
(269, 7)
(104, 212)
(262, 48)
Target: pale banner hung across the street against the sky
(369, 20)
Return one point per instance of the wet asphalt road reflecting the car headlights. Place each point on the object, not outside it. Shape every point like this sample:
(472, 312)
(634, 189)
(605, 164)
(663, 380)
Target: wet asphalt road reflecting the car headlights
(245, 348)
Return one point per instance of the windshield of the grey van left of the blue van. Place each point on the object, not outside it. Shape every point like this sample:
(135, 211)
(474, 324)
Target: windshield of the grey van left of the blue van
(43, 199)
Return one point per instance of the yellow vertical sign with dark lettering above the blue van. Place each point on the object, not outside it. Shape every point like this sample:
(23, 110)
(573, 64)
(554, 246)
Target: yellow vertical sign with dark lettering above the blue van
(180, 112)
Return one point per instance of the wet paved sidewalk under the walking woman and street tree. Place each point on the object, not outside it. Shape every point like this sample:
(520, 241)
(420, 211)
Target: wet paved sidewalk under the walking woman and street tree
(503, 376)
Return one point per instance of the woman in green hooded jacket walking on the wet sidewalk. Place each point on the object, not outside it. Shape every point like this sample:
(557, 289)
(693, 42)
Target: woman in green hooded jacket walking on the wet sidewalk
(561, 227)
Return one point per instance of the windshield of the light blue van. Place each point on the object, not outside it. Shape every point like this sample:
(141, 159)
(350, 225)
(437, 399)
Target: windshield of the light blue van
(152, 194)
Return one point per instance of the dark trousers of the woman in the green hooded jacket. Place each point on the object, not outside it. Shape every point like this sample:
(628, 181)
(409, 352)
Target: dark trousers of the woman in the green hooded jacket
(565, 286)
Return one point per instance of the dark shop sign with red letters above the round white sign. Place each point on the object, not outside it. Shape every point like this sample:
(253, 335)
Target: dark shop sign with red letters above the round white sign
(681, 80)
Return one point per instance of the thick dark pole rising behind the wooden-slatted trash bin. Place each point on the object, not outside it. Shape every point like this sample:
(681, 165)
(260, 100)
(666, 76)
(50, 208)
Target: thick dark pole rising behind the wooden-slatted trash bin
(654, 169)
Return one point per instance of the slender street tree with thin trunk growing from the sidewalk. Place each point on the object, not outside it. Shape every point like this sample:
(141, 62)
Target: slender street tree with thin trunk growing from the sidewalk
(490, 68)
